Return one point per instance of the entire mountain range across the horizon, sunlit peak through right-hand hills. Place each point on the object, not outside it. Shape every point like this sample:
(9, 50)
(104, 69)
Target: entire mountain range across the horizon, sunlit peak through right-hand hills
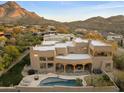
(11, 12)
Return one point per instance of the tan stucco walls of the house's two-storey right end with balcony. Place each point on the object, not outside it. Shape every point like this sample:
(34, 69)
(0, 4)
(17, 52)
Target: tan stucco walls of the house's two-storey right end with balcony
(100, 62)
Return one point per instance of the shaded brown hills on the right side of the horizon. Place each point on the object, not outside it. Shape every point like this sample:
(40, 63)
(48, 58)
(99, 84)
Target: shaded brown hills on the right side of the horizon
(110, 24)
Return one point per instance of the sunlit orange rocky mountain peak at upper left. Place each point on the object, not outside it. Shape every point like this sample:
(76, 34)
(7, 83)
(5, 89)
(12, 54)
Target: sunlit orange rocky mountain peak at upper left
(11, 12)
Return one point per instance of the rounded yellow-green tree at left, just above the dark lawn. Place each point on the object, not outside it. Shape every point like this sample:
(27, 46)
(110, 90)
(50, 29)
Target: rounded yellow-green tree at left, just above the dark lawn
(12, 51)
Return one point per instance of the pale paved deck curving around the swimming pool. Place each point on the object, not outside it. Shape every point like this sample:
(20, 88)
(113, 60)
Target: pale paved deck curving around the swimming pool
(29, 81)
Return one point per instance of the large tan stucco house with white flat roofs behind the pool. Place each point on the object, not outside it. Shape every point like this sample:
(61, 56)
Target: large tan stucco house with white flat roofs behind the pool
(71, 56)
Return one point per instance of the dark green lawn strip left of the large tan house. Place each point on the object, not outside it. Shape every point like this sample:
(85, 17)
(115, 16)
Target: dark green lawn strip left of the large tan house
(13, 76)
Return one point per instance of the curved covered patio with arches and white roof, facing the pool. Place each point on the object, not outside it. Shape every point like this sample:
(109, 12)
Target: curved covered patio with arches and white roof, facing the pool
(73, 63)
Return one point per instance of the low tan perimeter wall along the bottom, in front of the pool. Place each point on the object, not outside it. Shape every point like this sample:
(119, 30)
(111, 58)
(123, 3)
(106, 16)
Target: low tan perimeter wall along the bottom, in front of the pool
(68, 89)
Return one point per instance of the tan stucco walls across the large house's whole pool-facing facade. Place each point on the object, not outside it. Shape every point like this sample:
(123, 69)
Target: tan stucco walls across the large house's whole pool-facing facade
(98, 62)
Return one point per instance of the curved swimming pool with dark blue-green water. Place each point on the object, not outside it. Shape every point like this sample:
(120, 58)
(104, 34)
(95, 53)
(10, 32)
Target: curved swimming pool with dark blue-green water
(55, 81)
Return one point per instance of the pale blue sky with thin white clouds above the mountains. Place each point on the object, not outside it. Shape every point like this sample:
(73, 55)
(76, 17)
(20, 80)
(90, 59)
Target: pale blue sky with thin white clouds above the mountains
(66, 11)
